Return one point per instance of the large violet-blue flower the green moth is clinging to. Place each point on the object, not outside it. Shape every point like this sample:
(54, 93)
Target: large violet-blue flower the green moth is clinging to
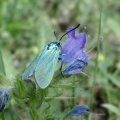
(73, 55)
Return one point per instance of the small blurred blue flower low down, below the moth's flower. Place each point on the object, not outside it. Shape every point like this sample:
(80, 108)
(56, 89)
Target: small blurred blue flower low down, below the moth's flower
(79, 110)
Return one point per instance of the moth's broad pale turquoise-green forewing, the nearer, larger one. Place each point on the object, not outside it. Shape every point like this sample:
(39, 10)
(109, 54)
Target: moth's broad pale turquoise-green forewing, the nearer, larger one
(46, 67)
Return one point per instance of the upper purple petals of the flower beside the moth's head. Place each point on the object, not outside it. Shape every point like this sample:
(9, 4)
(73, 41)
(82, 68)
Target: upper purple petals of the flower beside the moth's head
(73, 44)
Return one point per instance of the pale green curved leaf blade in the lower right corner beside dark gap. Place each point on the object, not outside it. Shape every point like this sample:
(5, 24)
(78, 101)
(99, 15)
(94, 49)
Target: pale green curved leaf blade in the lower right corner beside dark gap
(112, 108)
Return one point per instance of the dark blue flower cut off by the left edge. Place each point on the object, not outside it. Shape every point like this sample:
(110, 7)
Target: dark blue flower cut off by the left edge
(3, 98)
